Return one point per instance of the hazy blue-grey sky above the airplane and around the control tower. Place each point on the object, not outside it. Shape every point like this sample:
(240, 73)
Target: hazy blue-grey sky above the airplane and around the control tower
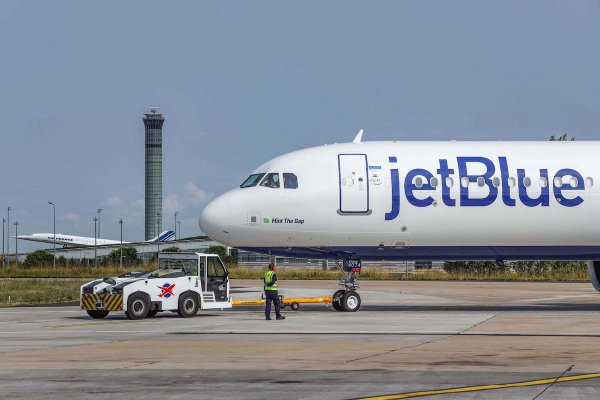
(242, 82)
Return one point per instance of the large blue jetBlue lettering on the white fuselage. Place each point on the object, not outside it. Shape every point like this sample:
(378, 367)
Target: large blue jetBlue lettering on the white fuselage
(419, 194)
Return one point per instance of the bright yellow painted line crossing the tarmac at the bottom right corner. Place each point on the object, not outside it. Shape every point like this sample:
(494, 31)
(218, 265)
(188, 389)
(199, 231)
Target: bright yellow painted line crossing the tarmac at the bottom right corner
(483, 387)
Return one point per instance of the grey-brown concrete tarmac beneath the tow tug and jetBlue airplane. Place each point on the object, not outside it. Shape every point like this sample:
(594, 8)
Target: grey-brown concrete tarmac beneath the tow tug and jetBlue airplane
(439, 340)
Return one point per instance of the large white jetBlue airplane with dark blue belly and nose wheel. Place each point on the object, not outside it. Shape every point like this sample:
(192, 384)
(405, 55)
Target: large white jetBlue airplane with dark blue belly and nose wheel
(418, 201)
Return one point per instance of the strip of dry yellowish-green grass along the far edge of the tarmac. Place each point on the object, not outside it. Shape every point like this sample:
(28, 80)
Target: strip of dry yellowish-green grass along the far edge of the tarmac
(24, 286)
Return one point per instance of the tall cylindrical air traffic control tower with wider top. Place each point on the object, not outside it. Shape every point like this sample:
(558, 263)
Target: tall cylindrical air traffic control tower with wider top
(153, 122)
